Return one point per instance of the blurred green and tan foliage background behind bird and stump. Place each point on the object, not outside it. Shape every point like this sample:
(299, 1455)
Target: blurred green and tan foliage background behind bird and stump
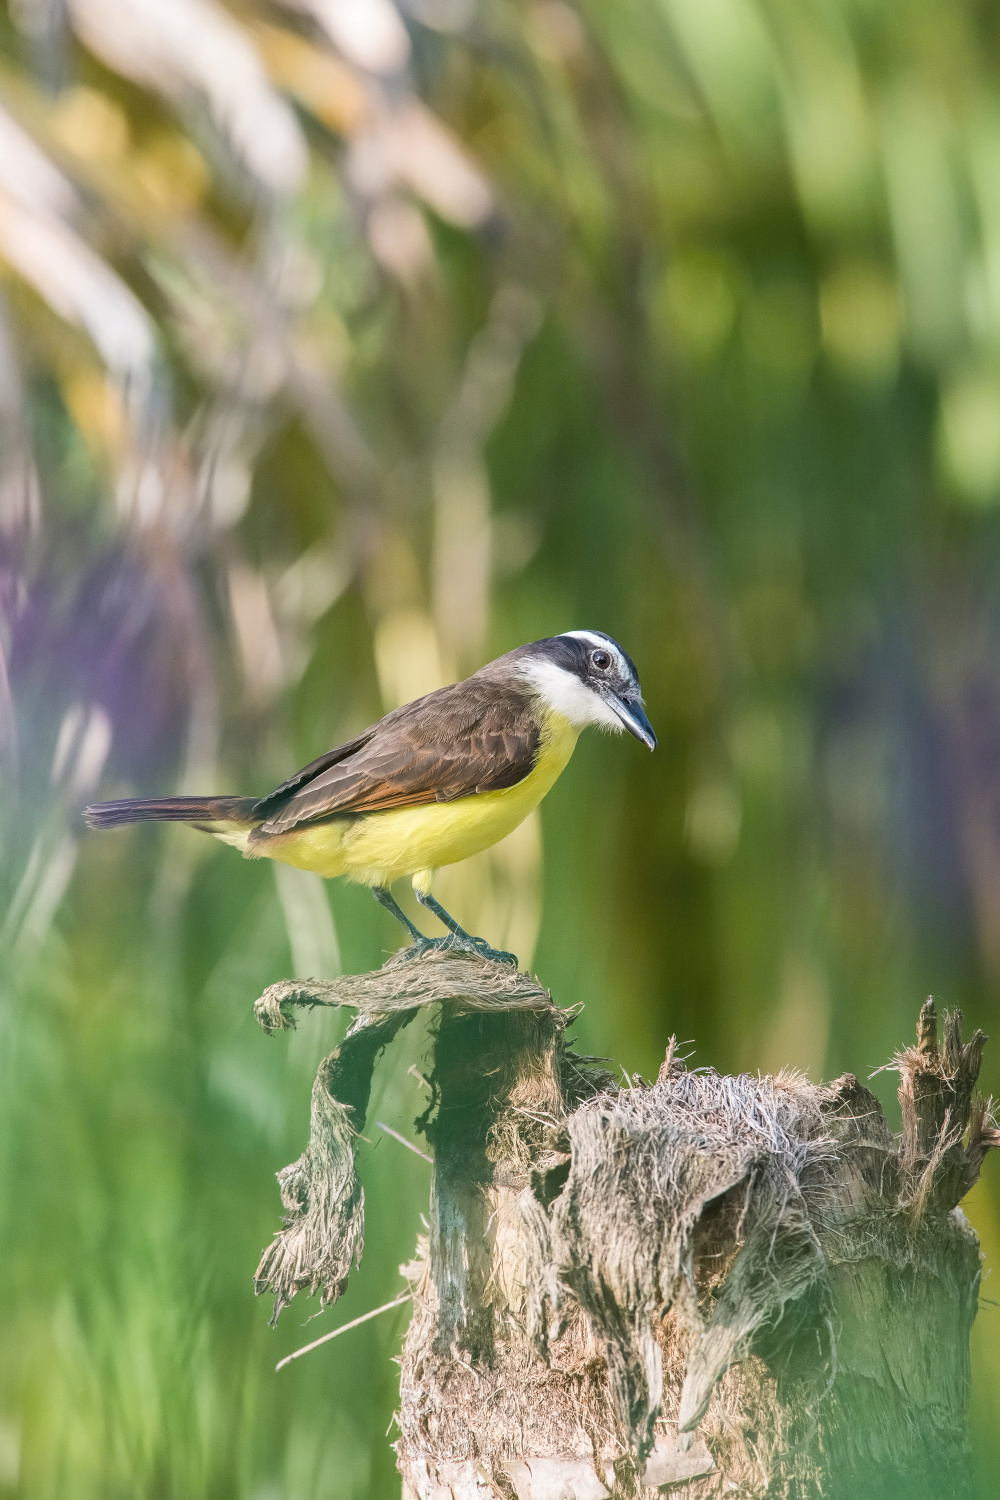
(344, 347)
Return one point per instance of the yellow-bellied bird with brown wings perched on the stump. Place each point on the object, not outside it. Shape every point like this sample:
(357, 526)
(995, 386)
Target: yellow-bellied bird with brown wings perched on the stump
(433, 782)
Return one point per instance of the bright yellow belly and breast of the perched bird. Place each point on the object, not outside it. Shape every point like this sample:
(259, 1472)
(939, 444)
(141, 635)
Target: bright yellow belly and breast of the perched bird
(380, 848)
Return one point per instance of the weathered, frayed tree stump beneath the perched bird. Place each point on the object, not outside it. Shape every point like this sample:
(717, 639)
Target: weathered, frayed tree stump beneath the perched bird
(702, 1286)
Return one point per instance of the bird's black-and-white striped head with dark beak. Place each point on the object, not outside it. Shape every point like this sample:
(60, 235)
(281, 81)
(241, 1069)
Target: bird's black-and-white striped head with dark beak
(590, 680)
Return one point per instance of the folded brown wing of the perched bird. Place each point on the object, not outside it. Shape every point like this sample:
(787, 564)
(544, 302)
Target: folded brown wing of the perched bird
(473, 737)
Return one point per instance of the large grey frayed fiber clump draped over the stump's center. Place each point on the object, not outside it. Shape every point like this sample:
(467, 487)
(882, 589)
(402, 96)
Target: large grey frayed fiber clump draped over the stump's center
(647, 1165)
